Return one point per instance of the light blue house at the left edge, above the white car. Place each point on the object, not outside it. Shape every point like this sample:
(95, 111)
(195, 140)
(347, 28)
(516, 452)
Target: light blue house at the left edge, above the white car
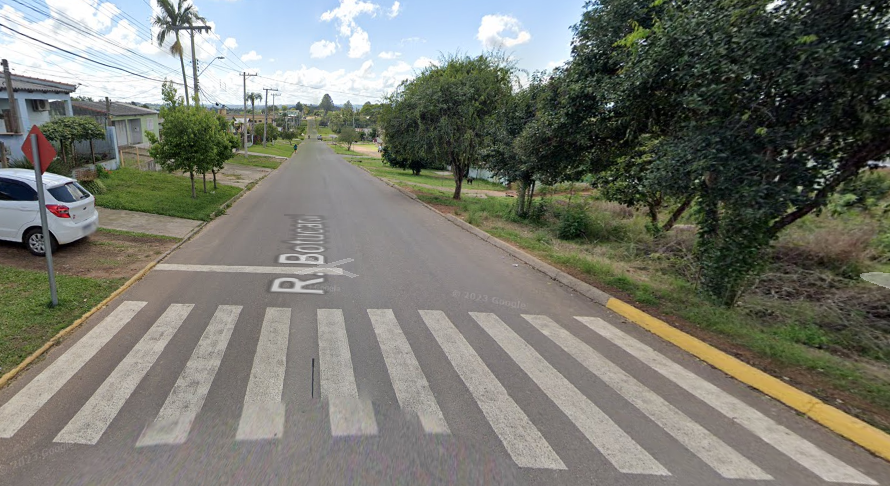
(33, 107)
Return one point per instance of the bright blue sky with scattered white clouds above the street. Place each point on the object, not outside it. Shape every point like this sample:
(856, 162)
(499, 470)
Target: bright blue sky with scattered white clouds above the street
(354, 50)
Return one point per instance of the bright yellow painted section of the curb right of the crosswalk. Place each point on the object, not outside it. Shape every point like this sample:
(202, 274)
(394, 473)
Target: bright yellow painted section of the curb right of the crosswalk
(841, 423)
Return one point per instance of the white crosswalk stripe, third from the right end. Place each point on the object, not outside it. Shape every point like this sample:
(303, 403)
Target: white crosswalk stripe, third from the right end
(626, 455)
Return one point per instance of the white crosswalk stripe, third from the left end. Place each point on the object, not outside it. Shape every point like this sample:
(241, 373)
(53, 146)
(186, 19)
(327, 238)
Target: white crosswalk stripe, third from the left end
(175, 419)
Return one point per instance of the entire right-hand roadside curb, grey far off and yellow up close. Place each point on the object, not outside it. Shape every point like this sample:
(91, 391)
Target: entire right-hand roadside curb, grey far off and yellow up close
(845, 425)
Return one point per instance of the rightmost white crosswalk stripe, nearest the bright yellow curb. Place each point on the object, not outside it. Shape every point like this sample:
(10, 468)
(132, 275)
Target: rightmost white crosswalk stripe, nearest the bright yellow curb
(806, 454)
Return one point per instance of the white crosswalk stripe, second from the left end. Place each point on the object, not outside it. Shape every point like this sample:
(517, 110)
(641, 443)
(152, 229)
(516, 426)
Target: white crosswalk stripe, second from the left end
(96, 415)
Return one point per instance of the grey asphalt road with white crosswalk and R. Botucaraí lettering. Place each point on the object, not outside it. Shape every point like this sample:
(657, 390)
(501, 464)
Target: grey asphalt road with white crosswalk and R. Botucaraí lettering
(429, 357)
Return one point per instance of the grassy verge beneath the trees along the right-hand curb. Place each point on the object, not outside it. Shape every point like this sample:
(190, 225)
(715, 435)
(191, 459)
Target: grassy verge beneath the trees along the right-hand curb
(784, 338)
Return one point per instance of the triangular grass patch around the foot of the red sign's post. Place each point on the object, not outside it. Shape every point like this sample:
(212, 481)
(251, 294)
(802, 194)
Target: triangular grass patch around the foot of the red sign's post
(27, 321)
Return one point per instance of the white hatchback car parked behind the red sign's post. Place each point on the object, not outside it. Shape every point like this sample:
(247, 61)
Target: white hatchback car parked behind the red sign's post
(70, 210)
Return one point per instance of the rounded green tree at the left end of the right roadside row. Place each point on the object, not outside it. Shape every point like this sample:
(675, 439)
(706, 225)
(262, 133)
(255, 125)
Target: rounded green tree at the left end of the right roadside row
(445, 109)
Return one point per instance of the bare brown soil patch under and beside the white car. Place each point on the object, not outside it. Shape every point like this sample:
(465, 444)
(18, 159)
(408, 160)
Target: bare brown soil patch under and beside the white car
(101, 255)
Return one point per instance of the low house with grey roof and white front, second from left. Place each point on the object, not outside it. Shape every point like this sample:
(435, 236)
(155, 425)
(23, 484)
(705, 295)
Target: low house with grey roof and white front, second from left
(129, 121)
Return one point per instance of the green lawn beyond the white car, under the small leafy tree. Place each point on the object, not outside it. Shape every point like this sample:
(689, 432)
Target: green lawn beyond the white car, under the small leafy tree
(162, 193)
